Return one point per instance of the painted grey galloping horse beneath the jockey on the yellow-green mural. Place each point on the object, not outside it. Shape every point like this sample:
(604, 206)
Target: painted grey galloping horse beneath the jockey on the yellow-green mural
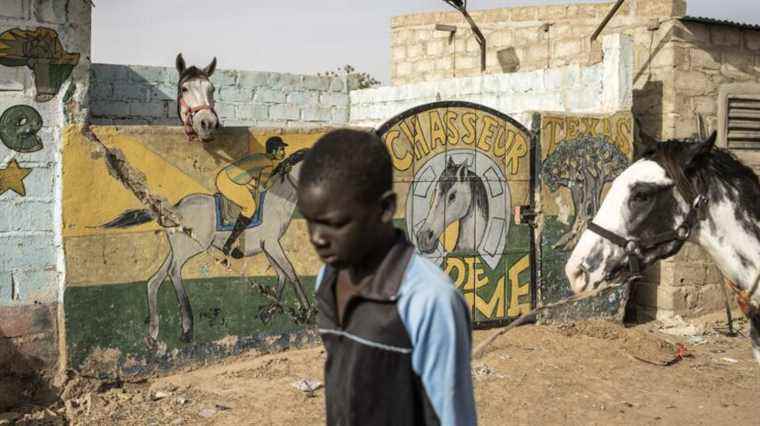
(199, 233)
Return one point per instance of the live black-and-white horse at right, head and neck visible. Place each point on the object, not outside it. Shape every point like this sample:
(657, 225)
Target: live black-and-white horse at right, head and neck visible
(678, 191)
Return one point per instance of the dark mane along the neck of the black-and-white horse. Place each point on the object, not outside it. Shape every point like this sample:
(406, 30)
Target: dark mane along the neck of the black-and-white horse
(719, 166)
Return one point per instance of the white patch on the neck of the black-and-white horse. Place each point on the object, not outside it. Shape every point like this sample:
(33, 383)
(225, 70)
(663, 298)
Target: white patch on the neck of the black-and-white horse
(731, 236)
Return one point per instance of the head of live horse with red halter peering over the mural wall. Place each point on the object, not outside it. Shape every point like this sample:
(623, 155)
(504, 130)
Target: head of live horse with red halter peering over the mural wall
(195, 100)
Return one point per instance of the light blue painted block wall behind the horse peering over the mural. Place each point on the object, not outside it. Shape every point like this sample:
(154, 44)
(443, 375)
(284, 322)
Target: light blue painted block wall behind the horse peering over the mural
(132, 94)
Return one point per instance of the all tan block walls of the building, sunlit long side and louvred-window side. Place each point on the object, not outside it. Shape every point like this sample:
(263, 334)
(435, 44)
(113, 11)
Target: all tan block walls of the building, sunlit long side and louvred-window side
(678, 69)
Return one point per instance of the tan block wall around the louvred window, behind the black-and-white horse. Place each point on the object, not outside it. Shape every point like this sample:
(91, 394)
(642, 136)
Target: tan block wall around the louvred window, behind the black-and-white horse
(704, 58)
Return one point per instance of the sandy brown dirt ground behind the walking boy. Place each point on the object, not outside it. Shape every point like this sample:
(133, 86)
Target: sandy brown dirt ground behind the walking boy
(588, 372)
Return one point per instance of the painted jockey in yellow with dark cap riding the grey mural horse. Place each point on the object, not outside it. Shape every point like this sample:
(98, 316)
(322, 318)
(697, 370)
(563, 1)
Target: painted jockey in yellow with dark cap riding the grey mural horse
(243, 181)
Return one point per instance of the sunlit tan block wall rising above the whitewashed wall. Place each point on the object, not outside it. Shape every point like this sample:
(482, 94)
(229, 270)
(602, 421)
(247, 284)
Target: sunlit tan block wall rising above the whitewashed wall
(517, 39)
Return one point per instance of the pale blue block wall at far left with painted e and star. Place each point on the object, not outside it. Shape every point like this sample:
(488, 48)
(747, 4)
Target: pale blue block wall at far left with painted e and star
(31, 252)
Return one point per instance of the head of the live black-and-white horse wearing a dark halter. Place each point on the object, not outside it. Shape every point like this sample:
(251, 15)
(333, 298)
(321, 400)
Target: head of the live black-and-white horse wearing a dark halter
(647, 215)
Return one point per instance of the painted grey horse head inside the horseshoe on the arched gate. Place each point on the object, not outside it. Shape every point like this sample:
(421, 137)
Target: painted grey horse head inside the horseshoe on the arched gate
(459, 195)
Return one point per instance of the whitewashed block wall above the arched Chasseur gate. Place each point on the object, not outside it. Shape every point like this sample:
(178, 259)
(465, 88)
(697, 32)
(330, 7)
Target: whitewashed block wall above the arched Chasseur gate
(600, 88)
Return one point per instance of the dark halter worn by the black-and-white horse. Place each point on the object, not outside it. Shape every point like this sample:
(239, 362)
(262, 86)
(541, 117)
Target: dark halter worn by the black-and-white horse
(636, 247)
